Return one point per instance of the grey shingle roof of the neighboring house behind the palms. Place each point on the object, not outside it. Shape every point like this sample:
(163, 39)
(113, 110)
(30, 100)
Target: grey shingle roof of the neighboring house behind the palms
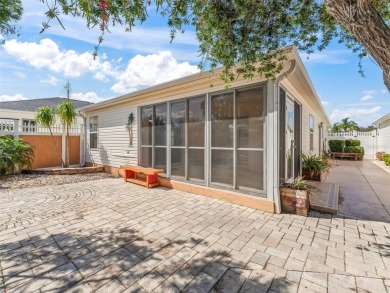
(33, 104)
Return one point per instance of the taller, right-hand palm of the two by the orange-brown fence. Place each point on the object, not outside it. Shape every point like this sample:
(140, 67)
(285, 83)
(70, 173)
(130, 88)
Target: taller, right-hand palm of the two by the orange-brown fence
(67, 115)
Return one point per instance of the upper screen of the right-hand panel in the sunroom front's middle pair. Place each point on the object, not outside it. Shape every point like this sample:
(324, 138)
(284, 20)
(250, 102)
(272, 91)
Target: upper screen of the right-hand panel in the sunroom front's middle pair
(196, 124)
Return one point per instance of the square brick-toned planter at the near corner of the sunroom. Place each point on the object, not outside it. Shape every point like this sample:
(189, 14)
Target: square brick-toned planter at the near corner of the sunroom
(295, 201)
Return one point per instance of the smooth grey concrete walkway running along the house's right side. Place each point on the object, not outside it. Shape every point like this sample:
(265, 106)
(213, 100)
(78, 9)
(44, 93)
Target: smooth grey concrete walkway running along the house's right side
(364, 190)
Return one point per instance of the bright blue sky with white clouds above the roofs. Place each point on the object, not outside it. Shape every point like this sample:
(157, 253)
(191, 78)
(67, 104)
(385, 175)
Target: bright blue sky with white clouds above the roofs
(38, 65)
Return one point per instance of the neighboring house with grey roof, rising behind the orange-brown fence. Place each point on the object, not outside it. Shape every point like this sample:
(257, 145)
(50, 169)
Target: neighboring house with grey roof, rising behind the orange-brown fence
(23, 111)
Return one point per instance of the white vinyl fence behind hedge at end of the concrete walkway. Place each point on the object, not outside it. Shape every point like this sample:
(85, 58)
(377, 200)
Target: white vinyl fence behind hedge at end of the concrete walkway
(368, 140)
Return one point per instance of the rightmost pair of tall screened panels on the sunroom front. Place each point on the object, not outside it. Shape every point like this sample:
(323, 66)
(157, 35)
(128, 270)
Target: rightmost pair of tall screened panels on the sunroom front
(237, 139)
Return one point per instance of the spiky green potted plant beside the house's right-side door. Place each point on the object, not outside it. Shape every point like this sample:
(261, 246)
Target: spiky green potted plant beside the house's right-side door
(313, 167)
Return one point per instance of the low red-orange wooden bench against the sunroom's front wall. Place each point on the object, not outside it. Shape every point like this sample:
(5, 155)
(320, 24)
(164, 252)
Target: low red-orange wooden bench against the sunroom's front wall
(131, 174)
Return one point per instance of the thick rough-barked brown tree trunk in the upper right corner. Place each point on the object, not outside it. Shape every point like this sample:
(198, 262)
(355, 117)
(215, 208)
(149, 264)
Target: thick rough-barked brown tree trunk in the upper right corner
(367, 26)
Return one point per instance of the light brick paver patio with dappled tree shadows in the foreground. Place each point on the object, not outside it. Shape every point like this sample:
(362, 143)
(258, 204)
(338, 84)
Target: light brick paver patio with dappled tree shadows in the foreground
(108, 236)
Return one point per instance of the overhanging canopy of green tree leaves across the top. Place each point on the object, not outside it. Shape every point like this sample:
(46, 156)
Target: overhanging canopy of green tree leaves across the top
(245, 36)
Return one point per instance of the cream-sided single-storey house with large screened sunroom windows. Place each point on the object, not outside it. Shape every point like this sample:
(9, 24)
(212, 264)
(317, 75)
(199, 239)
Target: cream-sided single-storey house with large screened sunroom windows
(237, 144)
